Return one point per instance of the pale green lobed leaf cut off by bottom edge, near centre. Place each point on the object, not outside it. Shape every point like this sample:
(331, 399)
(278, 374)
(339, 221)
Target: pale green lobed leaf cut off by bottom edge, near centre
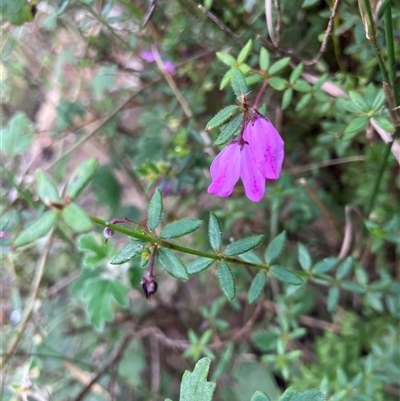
(194, 386)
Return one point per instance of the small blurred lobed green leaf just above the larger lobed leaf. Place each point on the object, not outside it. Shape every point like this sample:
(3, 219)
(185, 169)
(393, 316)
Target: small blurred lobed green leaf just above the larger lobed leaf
(95, 252)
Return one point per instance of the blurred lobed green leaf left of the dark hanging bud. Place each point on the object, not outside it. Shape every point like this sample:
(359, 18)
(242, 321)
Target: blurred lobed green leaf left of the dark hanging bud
(99, 295)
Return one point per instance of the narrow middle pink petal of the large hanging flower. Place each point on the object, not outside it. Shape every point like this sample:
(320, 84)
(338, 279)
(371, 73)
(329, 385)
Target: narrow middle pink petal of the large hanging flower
(253, 180)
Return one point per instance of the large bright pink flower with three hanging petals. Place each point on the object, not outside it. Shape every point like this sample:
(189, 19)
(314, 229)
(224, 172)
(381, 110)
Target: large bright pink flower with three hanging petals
(254, 158)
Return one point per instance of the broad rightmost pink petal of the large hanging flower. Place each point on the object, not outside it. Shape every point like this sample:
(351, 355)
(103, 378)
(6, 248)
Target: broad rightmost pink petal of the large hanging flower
(266, 146)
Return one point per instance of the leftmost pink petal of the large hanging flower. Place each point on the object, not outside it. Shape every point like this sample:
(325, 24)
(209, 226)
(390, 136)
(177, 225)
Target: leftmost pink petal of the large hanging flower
(225, 171)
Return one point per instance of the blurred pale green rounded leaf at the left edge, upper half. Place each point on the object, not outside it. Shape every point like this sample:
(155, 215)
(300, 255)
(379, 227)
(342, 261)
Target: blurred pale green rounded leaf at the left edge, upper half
(18, 136)
